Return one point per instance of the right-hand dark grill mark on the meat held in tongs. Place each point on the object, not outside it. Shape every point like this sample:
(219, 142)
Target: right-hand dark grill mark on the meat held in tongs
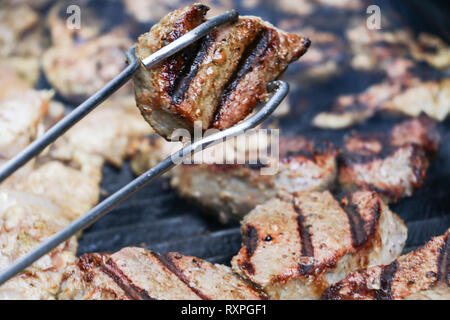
(252, 55)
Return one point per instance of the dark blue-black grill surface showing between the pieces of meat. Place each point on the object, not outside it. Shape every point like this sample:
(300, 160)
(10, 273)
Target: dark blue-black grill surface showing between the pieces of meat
(157, 219)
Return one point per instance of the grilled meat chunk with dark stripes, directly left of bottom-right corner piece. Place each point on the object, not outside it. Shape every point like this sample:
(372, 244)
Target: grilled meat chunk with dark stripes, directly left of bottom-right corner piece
(296, 248)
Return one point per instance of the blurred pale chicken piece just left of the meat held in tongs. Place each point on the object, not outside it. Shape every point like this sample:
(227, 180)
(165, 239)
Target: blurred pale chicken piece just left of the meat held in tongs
(77, 71)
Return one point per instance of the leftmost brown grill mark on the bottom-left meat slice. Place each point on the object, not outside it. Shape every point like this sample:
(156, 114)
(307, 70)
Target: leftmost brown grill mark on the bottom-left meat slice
(130, 289)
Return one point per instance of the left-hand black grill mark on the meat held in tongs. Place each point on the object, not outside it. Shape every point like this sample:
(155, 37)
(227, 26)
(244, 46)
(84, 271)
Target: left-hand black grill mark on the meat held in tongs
(193, 57)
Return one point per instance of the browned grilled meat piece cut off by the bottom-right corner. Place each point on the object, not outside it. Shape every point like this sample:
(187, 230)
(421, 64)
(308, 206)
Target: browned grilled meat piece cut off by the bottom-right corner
(420, 274)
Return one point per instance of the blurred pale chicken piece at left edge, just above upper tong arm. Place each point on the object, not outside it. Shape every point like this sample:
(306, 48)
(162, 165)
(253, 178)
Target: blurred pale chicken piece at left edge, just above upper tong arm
(20, 116)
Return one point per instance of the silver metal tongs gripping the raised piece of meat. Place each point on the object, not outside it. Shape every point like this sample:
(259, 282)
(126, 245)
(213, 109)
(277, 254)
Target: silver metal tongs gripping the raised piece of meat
(278, 88)
